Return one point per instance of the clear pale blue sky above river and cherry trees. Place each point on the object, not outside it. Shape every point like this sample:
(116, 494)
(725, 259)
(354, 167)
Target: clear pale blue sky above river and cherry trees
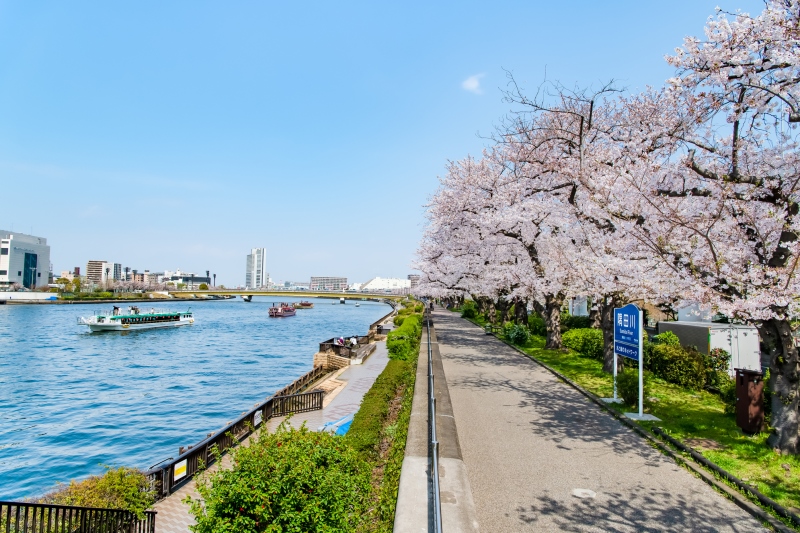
(182, 134)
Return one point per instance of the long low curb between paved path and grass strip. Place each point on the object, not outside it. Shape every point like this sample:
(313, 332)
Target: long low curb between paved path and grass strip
(738, 498)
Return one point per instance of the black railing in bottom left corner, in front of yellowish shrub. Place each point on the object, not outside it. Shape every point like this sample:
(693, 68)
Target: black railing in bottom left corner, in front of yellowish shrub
(19, 517)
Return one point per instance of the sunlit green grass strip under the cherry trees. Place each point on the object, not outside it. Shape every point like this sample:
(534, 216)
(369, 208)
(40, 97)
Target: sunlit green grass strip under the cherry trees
(696, 418)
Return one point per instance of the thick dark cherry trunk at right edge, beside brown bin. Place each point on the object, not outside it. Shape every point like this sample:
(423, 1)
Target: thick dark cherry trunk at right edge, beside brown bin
(784, 382)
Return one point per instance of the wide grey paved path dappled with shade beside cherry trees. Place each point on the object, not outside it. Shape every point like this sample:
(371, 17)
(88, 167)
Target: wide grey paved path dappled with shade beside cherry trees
(540, 456)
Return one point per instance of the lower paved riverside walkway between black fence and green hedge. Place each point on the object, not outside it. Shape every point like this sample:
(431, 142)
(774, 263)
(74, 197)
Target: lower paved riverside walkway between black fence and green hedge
(344, 391)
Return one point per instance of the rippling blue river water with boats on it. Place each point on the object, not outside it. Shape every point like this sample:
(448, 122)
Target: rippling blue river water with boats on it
(72, 401)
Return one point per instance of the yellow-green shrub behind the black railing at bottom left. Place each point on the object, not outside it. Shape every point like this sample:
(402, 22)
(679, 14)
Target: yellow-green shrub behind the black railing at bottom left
(121, 488)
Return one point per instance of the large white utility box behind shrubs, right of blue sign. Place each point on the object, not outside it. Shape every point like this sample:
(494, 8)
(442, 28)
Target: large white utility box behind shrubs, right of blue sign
(741, 341)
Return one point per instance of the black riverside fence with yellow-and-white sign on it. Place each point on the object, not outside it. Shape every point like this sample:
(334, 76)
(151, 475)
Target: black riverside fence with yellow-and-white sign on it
(174, 472)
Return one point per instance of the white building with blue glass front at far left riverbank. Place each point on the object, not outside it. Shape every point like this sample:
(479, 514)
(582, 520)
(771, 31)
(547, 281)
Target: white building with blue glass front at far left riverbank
(24, 259)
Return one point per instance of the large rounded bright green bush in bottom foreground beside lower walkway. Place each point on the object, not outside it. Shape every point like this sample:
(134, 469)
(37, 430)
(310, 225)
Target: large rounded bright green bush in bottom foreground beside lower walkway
(291, 480)
